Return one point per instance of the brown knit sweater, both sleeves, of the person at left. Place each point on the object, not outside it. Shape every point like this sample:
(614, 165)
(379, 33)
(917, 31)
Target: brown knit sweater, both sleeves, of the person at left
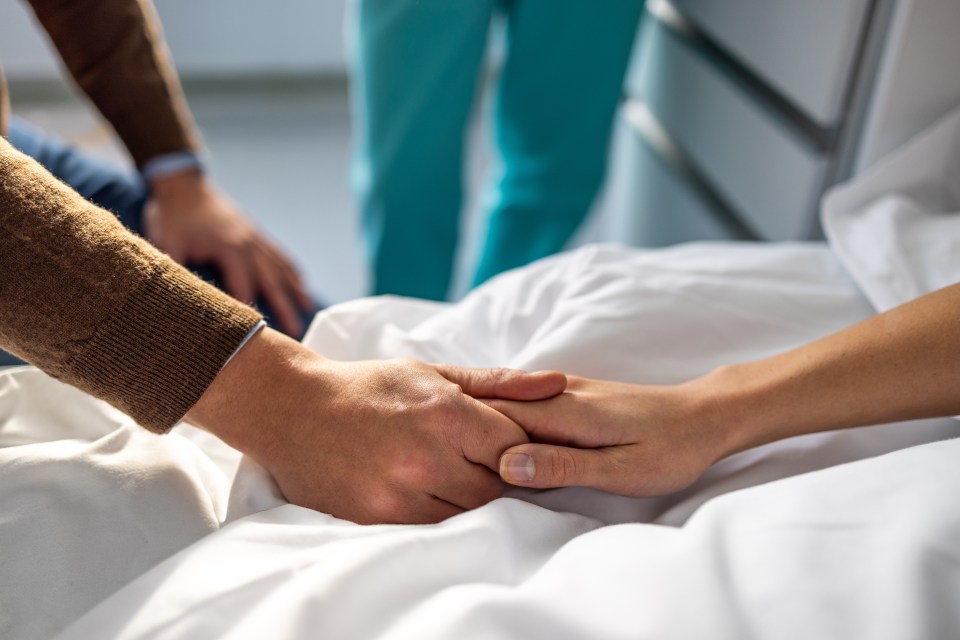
(80, 297)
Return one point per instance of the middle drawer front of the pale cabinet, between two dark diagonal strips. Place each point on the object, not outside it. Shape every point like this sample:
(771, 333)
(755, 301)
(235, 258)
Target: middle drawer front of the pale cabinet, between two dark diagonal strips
(765, 171)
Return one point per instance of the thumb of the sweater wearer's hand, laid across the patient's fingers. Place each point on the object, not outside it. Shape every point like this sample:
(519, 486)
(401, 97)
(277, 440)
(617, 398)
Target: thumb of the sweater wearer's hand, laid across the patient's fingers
(505, 384)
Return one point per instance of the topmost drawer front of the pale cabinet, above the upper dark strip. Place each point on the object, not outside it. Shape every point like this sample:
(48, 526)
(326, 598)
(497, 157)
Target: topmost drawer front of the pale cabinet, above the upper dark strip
(805, 49)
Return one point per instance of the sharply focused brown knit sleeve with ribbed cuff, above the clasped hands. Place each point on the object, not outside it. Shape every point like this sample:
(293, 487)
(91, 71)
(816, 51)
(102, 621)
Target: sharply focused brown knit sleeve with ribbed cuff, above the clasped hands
(99, 308)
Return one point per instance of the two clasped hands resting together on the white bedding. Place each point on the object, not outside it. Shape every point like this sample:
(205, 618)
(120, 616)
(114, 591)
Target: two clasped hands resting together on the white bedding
(401, 441)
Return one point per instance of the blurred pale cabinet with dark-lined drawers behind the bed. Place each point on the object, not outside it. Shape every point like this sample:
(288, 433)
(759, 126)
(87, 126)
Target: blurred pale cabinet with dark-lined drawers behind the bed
(756, 107)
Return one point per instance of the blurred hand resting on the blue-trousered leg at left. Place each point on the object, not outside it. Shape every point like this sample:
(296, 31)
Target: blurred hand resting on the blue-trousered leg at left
(193, 222)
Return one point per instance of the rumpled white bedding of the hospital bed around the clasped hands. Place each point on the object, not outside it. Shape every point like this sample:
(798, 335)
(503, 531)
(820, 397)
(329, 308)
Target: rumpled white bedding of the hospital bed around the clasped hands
(110, 532)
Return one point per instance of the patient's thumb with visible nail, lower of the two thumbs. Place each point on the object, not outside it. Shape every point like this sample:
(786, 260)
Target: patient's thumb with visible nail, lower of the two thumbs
(542, 466)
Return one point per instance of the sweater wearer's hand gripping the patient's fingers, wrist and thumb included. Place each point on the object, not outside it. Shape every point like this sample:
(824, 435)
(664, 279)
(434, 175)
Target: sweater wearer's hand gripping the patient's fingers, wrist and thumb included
(378, 441)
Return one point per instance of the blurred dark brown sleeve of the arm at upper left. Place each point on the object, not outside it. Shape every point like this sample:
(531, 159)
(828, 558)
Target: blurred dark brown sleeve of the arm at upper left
(114, 50)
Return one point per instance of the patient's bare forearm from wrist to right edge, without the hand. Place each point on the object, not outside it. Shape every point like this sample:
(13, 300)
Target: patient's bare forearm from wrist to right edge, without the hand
(900, 365)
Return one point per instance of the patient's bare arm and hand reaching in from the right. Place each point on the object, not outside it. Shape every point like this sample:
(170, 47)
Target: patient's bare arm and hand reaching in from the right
(644, 440)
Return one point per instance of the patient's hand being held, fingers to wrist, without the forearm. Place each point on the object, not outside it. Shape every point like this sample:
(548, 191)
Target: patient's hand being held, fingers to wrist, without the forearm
(627, 439)
